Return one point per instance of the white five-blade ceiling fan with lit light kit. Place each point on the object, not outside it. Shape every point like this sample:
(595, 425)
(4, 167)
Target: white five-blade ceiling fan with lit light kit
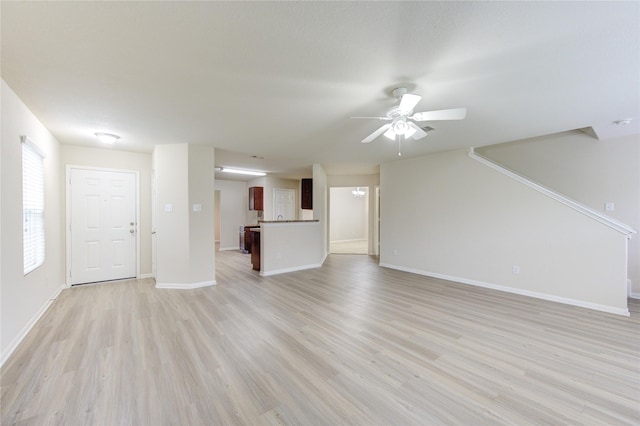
(402, 118)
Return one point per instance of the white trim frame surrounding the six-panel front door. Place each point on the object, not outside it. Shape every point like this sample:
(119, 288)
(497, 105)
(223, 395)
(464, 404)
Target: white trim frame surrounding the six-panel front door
(69, 167)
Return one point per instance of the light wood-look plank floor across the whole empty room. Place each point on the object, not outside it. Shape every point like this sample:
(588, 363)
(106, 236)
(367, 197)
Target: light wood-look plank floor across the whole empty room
(348, 343)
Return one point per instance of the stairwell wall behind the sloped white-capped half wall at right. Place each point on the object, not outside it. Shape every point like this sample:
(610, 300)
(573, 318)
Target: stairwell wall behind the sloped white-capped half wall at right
(587, 170)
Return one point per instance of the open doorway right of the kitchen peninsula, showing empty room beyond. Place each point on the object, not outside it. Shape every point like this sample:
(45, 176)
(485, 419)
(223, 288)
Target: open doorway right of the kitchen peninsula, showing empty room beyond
(349, 220)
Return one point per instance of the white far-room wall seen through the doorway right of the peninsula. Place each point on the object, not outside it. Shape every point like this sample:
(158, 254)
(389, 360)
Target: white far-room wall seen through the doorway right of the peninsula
(349, 215)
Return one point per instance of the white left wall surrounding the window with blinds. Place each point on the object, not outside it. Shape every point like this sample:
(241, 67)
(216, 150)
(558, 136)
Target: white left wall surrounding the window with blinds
(24, 298)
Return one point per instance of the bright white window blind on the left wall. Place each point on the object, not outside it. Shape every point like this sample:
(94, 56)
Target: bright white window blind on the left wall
(32, 205)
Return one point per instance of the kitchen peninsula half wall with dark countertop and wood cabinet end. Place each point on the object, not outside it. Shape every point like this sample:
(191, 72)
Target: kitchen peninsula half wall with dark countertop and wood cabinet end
(287, 245)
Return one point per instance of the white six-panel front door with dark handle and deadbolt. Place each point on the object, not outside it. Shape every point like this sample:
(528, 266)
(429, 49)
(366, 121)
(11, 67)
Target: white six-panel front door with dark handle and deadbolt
(103, 225)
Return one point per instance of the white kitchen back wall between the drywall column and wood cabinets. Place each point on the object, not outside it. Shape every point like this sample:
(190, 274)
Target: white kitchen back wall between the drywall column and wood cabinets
(233, 208)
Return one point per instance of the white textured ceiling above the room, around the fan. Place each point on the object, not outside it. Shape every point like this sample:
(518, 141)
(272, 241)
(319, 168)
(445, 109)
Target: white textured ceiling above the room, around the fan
(279, 80)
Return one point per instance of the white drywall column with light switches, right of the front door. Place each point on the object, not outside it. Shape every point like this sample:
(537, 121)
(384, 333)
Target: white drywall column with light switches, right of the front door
(185, 216)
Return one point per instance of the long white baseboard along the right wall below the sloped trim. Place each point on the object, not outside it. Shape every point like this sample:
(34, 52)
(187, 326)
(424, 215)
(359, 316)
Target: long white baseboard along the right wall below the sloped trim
(543, 296)
